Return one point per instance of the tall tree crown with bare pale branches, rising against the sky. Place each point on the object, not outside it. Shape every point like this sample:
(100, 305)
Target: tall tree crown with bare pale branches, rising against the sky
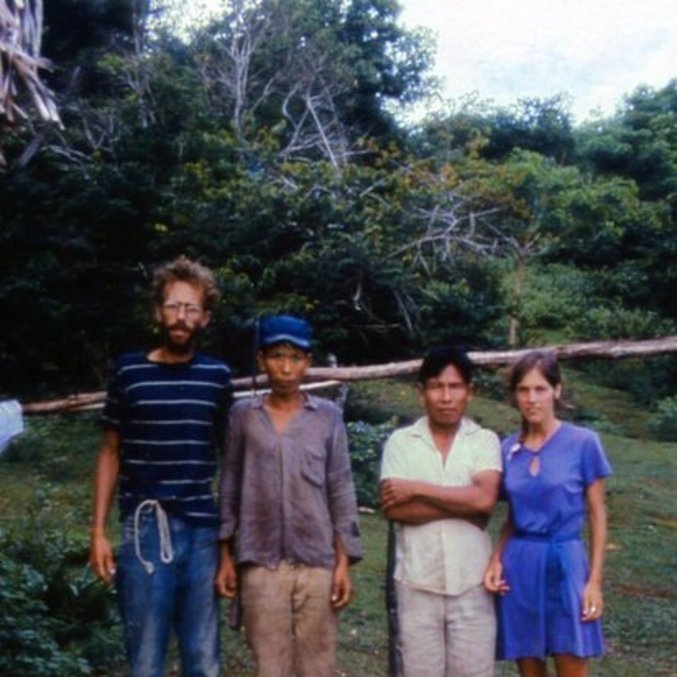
(317, 74)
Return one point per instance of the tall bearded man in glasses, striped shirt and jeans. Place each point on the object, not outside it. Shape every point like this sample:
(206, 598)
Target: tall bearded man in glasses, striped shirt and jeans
(164, 420)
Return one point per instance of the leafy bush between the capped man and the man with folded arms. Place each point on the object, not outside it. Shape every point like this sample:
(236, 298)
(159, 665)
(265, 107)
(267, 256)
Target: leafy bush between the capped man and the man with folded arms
(366, 443)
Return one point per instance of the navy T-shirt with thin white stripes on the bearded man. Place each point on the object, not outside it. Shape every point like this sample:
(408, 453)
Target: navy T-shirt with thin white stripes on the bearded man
(171, 419)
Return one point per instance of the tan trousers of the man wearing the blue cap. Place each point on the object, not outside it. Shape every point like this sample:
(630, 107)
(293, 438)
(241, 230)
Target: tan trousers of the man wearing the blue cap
(288, 619)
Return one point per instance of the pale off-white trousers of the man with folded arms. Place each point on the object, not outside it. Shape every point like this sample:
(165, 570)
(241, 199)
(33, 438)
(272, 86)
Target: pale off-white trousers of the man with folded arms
(446, 636)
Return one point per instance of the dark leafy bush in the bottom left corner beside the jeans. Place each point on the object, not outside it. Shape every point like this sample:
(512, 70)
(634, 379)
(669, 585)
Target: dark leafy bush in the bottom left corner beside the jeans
(56, 619)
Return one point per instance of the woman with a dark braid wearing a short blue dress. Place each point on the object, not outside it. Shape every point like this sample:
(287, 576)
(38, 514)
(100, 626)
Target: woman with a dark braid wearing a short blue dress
(549, 595)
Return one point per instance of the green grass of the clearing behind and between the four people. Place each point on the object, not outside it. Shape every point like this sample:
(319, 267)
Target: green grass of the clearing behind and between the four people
(45, 479)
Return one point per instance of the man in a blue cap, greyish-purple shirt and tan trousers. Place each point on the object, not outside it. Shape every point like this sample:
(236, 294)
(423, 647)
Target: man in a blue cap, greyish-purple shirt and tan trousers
(288, 511)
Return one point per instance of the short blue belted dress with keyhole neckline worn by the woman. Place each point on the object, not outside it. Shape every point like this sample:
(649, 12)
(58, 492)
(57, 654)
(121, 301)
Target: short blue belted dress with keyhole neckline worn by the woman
(545, 562)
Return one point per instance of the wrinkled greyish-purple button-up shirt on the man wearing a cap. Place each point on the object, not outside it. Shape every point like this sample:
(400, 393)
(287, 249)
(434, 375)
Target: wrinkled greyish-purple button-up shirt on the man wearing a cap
(286, 496)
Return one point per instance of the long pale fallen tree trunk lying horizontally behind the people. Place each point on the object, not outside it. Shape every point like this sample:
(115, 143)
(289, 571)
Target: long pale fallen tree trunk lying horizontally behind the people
(595, 350)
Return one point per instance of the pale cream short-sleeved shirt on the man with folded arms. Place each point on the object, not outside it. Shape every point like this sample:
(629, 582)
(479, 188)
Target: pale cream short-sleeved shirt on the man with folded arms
(447, 556)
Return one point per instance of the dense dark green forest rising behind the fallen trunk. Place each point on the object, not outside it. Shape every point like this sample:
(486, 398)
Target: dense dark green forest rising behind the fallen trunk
(273, 145)
